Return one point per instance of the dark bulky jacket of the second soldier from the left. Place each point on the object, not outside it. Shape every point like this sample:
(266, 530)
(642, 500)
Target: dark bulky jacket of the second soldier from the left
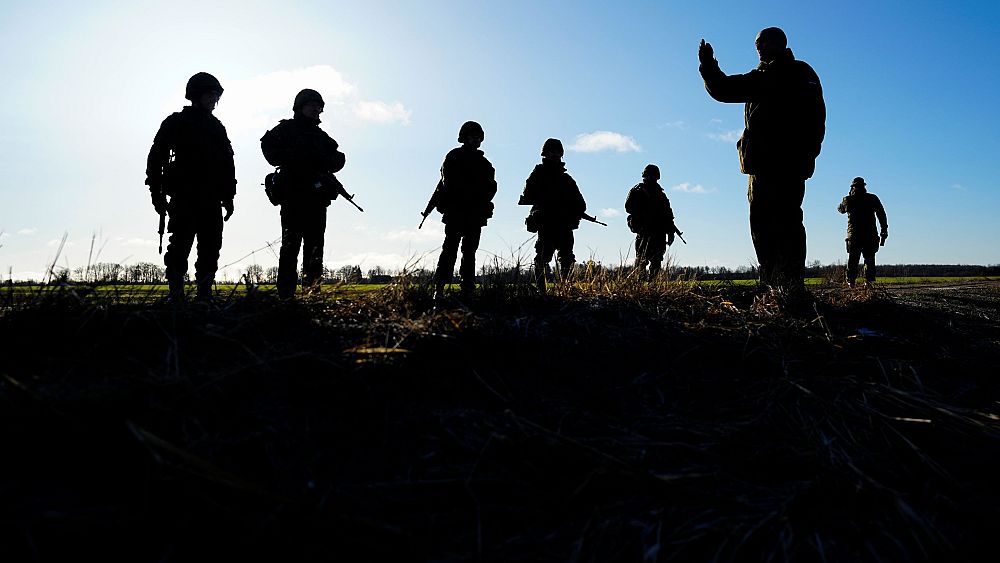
(305, 154)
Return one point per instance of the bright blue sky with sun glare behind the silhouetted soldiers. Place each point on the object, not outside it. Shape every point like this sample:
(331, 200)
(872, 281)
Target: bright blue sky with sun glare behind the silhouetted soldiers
(911, 91)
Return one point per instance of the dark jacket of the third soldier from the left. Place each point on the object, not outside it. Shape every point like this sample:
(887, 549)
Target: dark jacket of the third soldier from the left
(465, 192)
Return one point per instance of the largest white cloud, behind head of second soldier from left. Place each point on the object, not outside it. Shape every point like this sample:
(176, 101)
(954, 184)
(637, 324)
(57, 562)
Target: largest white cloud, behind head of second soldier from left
(255, 104)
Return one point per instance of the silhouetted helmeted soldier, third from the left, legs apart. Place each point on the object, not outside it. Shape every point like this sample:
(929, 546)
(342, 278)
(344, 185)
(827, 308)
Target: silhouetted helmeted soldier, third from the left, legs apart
(464, 196)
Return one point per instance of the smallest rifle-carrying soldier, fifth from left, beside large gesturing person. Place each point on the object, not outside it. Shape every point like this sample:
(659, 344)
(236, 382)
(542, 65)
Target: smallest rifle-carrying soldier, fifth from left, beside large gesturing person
(652, 221)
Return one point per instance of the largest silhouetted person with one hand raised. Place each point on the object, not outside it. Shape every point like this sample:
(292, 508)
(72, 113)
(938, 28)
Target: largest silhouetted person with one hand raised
(785, 123)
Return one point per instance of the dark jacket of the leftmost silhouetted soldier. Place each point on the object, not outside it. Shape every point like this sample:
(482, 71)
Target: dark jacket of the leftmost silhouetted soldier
(202, 168)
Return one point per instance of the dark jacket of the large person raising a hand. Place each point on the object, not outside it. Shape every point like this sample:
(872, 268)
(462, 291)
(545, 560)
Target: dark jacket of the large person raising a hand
(784, 115)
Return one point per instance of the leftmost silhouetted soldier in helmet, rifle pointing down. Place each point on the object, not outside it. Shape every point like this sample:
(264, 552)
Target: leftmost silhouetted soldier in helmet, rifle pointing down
(191, 162)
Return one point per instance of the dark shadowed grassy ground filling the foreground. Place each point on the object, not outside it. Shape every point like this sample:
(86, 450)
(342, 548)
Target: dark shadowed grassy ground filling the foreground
(596, 425)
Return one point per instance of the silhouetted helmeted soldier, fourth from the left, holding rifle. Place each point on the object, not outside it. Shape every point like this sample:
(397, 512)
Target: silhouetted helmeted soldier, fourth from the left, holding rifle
(556, 209)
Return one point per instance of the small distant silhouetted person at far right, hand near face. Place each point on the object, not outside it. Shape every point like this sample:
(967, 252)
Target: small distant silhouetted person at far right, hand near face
(862, 208)
